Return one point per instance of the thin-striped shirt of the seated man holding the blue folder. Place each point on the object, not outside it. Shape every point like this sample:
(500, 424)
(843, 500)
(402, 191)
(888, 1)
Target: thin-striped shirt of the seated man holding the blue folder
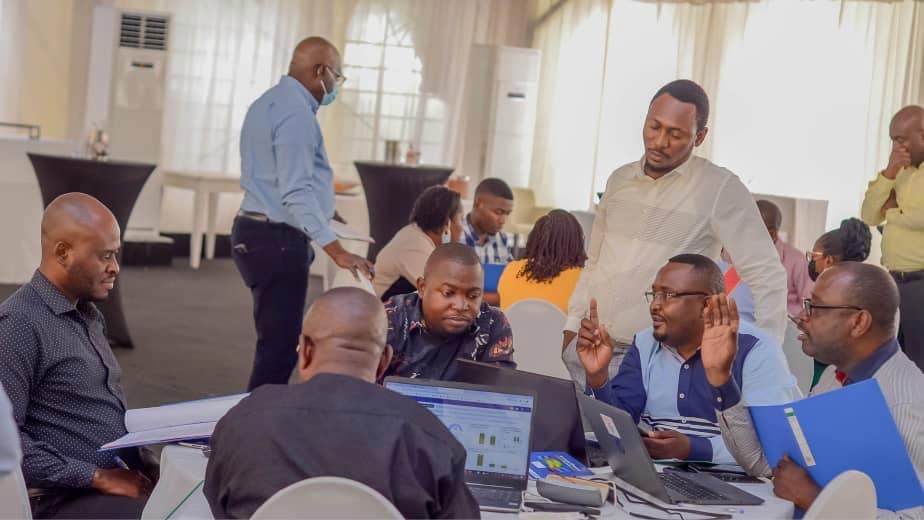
(902, 384)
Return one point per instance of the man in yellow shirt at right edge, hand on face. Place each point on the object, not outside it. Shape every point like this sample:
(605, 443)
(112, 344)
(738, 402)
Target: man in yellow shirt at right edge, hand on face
(896, 196)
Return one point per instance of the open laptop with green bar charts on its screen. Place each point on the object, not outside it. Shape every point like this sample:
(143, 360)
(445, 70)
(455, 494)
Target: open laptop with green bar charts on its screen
(493, 424)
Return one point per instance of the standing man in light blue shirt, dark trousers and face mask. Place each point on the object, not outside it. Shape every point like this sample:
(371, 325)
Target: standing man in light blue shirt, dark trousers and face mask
(288, 201)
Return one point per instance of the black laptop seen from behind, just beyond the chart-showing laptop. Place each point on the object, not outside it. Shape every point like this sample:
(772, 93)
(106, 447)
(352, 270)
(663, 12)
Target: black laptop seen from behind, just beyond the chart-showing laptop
(557, 420)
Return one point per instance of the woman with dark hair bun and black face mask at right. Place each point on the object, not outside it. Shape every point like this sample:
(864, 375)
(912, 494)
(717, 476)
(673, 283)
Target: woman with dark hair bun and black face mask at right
(848, 243)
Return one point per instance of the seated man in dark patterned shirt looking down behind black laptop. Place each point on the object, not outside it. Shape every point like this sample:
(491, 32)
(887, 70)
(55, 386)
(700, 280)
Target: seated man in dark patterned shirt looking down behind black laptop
(446, 319)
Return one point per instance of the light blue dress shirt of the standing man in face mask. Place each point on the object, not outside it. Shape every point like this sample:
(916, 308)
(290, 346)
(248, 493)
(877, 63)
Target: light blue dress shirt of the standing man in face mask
(284, 169)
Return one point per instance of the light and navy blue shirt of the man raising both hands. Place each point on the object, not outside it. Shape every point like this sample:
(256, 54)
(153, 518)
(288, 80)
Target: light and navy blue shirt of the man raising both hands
(658, 387)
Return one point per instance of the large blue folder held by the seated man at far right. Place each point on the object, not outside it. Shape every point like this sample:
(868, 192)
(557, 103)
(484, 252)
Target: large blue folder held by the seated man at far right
(849, 428)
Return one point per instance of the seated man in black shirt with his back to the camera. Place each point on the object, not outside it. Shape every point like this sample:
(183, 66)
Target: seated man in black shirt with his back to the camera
(338, 423)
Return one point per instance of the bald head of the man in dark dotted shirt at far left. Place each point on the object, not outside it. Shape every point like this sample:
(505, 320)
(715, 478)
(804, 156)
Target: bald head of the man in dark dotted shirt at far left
(80, 246)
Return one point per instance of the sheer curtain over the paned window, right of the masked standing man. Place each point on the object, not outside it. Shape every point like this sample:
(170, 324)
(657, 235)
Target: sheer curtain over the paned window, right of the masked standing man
(406, 62)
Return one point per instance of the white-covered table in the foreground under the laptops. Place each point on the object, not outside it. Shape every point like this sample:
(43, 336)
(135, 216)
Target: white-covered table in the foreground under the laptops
(178, 494)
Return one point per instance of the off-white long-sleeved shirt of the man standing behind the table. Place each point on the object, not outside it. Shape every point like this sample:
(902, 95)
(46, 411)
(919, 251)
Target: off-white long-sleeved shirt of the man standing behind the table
(642, 222)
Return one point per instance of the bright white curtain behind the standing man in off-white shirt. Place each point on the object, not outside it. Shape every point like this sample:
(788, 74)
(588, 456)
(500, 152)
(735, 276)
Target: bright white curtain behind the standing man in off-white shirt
(801, 92)
